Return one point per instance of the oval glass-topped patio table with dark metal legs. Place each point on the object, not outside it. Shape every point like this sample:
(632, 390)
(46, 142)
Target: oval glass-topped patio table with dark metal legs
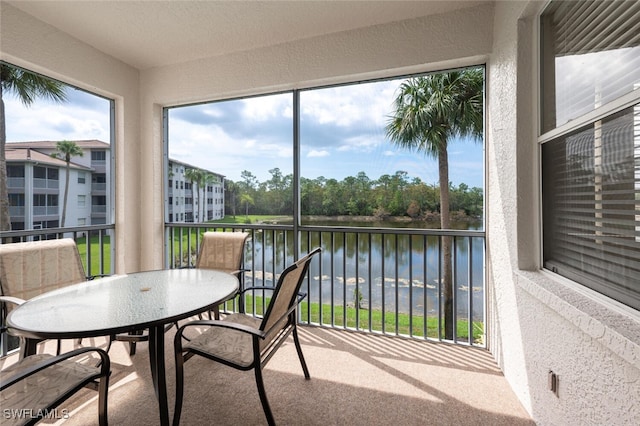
(122, 304)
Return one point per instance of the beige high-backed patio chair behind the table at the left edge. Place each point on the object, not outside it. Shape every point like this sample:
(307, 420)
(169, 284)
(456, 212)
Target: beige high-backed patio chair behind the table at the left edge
(28, 269)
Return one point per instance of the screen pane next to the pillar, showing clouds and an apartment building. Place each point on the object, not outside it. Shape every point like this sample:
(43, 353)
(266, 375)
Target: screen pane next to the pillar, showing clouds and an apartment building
(247, 145)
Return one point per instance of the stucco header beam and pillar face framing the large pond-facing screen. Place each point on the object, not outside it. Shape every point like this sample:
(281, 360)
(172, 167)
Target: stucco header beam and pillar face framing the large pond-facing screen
(455, 39)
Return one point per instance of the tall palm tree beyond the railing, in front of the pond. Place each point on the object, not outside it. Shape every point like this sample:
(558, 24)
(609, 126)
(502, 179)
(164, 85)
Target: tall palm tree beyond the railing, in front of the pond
(430, 111)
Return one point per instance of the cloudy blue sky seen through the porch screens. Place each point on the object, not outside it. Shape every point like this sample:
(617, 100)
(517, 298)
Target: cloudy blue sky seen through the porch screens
(342, 133)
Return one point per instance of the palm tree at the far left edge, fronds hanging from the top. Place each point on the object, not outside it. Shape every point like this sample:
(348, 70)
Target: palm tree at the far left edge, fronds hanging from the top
(27, 87)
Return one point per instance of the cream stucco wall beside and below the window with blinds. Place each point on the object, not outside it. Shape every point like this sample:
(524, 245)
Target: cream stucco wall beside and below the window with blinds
(539, 322)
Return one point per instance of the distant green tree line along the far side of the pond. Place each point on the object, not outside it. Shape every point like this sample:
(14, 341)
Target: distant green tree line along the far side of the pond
(389, 195)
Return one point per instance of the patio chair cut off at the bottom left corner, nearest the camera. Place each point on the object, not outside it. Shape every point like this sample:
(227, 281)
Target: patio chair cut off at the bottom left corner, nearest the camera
(33, 387)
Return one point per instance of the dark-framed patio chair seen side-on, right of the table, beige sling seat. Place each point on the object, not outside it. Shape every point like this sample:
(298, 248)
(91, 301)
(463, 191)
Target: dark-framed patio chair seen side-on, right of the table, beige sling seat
(246, 342)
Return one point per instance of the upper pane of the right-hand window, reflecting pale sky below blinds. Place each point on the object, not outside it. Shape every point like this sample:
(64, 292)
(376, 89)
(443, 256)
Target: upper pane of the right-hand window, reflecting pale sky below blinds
(590, 56)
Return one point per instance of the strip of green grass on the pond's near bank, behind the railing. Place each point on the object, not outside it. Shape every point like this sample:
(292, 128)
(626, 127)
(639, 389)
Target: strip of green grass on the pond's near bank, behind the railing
(404, 321)
